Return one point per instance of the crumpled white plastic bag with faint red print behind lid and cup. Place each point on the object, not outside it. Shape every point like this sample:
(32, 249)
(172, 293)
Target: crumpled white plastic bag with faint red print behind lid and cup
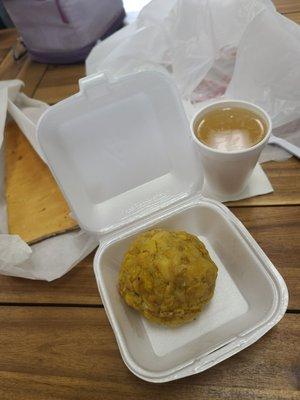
(237, 48)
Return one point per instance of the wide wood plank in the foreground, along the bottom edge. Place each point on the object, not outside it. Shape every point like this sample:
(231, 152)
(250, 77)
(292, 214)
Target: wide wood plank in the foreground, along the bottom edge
(71, 353)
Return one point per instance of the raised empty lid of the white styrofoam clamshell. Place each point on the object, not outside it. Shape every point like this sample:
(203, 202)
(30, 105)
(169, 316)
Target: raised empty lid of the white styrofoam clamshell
(120, 149)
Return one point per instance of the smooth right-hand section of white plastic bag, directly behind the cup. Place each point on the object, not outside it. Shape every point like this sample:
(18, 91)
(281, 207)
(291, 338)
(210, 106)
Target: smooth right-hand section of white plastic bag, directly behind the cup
(267, 72)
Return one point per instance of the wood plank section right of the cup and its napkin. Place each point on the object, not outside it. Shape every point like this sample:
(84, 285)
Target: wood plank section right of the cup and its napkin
(285, 179)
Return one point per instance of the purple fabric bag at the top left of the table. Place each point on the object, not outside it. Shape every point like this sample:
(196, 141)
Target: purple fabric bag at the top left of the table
(64, 31)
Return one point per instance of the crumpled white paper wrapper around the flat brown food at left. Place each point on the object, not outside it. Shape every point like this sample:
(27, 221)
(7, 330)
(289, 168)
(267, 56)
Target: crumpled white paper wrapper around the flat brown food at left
(51, 258)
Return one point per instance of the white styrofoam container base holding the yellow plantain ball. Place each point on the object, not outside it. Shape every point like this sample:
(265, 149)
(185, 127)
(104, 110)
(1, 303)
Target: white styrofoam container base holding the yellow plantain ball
(250, 297)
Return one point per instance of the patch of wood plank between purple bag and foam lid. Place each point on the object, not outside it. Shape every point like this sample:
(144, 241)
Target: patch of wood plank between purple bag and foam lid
(59, 82)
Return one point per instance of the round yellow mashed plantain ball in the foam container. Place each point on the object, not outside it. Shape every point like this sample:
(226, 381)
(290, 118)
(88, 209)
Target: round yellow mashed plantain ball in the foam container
(168, 276)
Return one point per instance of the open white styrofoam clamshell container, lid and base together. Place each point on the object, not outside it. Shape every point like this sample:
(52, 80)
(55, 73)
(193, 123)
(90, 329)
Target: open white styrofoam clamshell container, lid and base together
(123, 156)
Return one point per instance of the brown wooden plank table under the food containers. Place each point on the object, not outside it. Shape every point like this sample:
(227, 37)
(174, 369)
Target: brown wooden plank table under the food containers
(55, 339)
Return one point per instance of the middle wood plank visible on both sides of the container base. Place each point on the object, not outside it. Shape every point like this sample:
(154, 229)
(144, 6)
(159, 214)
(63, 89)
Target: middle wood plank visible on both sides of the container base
(276, 229)
